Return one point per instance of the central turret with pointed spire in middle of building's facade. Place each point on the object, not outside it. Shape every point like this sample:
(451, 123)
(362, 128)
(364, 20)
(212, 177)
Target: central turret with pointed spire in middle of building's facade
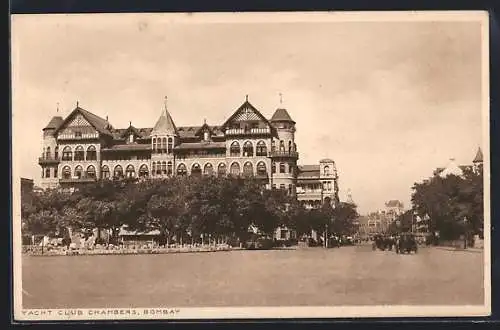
(164, 137)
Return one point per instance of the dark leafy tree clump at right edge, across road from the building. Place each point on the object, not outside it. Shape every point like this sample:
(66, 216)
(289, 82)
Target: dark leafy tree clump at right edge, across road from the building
(452, 205)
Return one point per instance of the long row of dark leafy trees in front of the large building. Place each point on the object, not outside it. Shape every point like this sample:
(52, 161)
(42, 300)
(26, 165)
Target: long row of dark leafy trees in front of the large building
(181, 208)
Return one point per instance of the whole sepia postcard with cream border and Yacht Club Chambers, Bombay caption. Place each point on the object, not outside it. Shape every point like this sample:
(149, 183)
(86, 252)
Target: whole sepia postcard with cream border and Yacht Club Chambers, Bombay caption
(250, 165)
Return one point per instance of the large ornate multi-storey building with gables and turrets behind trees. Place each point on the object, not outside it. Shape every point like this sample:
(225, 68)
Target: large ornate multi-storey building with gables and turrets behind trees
(84, 147)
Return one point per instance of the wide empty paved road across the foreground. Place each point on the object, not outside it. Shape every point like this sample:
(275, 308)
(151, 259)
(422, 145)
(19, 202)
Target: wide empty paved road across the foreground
(303, 277)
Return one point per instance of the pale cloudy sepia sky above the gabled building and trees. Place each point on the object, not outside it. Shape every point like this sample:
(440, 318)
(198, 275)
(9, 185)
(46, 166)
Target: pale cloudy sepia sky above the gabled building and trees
(388, 100)
